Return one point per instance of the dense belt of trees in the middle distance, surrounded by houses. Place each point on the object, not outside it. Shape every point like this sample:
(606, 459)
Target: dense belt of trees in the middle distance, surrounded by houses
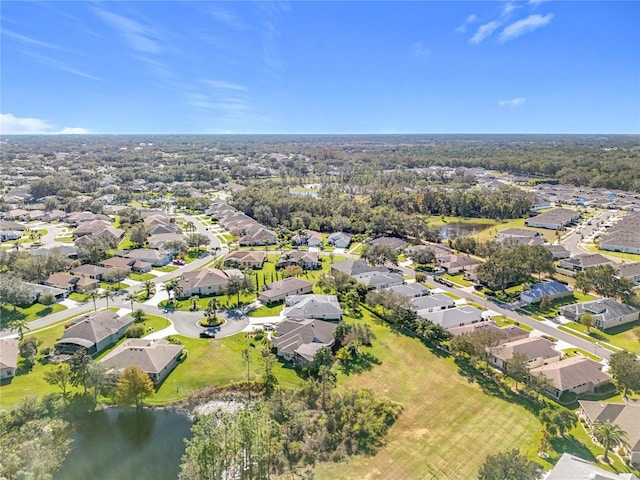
(384, 212)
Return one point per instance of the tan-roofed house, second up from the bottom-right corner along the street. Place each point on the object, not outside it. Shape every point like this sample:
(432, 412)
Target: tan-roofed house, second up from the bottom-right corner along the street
(576, 374)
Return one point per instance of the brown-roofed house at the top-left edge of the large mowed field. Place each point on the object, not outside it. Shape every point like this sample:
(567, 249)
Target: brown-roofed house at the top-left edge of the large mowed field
(299, 340)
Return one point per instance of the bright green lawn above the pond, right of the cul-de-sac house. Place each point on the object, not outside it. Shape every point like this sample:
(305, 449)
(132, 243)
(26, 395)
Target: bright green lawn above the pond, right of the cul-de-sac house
(217, 362)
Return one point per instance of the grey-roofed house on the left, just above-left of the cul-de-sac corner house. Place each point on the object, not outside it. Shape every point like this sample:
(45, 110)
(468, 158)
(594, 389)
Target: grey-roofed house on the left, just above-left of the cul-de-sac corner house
(94, 332)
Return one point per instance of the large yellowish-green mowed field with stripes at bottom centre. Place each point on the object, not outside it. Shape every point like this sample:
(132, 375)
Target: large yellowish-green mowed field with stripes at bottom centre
(448, 425)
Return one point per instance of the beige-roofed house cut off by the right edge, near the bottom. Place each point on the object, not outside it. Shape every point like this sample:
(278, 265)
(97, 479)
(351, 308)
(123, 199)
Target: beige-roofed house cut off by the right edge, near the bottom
(626, 416)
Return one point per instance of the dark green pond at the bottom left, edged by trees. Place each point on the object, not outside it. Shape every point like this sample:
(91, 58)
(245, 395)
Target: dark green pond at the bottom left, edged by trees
(116, 444)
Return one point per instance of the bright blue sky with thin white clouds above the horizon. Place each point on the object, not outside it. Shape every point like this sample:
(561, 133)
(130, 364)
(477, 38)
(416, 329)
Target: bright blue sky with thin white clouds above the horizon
(320, 67)
